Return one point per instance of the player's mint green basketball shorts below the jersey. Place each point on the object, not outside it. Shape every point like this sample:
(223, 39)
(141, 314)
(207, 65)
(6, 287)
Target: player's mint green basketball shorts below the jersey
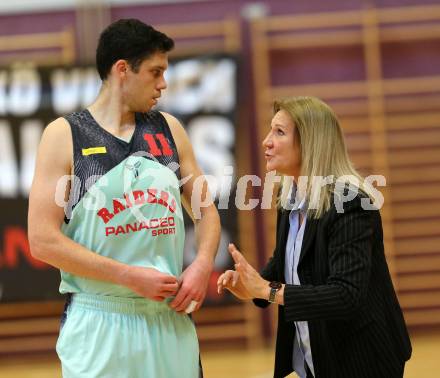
(122, 337)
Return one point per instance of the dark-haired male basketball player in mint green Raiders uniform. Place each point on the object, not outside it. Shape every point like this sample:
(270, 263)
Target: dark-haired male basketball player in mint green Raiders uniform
(119, 241)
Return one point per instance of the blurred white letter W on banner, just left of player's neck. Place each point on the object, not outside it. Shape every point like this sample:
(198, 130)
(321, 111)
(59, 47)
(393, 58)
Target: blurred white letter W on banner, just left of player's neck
(73, 89)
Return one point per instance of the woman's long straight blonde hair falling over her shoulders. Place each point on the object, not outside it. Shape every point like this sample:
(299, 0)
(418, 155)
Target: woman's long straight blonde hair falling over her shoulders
(323, 152)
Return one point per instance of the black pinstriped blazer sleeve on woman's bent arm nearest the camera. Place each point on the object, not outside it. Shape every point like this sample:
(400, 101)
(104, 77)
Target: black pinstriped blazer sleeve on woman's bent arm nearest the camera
(349, 252)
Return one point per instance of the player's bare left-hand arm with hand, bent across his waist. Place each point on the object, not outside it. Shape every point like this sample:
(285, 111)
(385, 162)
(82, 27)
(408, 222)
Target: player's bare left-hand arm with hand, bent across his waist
(49, 244)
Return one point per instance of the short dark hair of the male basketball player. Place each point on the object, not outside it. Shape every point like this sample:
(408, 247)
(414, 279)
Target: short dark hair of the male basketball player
(129, 39)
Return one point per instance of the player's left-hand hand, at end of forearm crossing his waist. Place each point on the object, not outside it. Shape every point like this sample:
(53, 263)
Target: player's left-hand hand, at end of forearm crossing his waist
(150, 283)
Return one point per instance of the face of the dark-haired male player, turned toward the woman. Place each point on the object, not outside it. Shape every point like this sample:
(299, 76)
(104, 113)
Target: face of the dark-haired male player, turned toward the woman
(142, 89)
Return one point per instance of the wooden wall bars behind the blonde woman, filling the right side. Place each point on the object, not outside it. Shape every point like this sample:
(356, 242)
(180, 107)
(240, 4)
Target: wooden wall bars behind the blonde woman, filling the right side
(379, 69)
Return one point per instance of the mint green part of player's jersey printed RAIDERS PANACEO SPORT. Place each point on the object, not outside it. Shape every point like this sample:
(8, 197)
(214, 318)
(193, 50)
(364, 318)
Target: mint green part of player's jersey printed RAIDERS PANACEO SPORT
(138, 221)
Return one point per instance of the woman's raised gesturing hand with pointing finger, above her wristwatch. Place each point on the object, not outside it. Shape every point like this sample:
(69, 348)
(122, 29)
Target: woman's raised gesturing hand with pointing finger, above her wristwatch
(244, 282)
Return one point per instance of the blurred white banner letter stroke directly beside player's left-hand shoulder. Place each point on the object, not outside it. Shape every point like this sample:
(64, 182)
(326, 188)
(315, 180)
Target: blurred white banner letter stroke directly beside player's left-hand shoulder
(30, 135)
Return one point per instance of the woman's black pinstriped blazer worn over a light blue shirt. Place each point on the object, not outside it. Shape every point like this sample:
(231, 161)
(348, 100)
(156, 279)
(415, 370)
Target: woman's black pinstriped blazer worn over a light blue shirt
(355, 322)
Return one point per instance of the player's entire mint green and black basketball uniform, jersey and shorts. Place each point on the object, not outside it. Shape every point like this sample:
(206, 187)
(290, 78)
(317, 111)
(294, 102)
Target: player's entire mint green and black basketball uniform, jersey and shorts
(126, 206)
